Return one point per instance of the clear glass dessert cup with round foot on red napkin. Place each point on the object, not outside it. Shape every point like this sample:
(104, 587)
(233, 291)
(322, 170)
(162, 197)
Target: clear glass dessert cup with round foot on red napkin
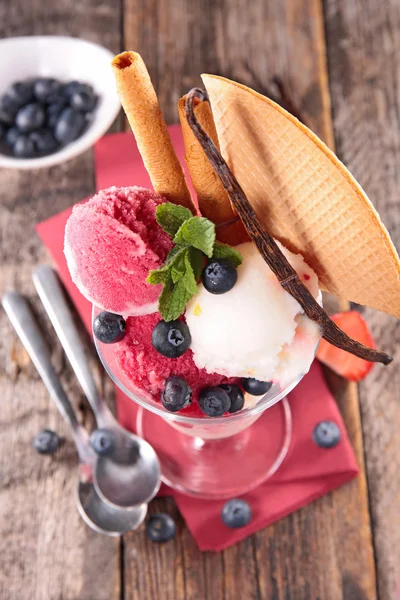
(208, 457)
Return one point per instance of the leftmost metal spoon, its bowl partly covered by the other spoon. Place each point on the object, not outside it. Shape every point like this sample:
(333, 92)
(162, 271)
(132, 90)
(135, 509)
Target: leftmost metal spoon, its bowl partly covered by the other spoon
(98, 514)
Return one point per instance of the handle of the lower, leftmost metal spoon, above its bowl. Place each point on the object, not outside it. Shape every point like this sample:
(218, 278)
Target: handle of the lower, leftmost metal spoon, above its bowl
(22, 318)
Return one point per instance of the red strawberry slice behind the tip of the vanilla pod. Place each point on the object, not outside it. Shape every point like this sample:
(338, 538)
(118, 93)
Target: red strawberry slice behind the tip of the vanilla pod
(343, 363)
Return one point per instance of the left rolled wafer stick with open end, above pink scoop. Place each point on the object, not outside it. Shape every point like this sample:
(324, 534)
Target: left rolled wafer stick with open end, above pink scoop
(141, 106)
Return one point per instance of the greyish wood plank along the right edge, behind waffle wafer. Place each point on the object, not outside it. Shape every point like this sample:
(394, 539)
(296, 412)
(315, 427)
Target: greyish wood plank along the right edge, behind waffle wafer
(364, 53)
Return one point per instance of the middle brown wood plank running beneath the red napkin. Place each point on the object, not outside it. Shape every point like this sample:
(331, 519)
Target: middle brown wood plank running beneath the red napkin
(324, 550)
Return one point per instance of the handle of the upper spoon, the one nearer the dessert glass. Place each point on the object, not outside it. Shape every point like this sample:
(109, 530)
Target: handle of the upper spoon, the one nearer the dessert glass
(52, 295)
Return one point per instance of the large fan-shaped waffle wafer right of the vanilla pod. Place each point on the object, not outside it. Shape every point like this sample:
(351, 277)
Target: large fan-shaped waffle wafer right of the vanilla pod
(305, 196)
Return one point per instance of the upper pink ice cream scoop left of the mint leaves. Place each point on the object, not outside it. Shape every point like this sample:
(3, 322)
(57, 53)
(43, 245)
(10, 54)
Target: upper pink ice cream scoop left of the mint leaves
(112, 241)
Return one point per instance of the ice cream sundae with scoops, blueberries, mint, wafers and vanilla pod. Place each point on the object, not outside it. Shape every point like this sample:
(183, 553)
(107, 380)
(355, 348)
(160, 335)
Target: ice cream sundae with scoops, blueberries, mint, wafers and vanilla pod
(209, 302)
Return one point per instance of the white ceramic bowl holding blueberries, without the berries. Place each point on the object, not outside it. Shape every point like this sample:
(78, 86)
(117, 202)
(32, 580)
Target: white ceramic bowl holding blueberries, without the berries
(66, 59)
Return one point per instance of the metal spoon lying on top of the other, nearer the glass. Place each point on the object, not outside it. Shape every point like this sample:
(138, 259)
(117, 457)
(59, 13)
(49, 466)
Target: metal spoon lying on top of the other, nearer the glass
(131, 474)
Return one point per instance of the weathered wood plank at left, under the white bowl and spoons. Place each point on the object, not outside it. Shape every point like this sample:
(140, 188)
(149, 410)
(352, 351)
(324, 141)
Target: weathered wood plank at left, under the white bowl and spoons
(48, 553)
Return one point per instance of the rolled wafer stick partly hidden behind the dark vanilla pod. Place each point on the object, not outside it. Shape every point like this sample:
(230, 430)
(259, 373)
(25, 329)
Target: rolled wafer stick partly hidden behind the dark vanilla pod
(213, 200)
